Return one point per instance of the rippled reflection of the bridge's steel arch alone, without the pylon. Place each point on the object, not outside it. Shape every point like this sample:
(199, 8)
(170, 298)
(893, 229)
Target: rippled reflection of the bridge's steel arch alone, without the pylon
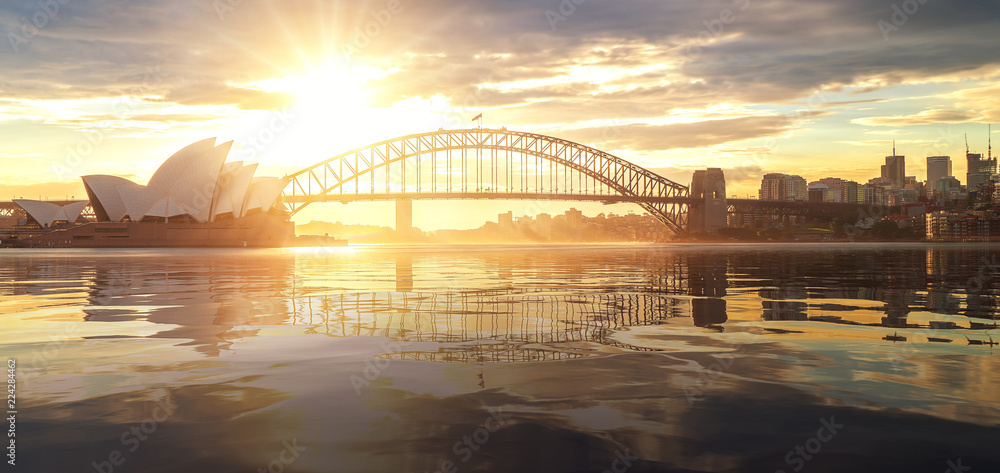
(490, 325)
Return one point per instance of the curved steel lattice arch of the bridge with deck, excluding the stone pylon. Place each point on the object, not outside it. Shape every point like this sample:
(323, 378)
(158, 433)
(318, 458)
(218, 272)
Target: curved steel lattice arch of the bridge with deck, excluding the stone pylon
(506, 165)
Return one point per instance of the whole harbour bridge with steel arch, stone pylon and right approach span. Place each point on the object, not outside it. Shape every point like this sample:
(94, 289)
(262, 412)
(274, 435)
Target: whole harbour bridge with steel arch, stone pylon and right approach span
(487, 163)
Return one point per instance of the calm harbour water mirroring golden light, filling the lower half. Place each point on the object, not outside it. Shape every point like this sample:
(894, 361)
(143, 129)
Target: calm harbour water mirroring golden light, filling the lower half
(715, 358)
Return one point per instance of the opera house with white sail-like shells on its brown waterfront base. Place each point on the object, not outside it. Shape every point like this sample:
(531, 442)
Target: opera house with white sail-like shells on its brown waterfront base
(195, 199)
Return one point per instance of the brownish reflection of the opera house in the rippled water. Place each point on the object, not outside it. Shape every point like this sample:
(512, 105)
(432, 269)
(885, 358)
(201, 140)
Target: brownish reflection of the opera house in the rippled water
(211, 298)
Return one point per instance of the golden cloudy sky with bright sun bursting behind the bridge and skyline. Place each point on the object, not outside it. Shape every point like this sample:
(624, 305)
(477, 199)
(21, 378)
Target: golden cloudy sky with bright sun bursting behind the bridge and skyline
(817, 88)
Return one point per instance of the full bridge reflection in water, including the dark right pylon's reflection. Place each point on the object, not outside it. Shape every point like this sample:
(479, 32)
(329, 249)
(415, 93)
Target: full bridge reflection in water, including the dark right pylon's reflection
(521, 322)
